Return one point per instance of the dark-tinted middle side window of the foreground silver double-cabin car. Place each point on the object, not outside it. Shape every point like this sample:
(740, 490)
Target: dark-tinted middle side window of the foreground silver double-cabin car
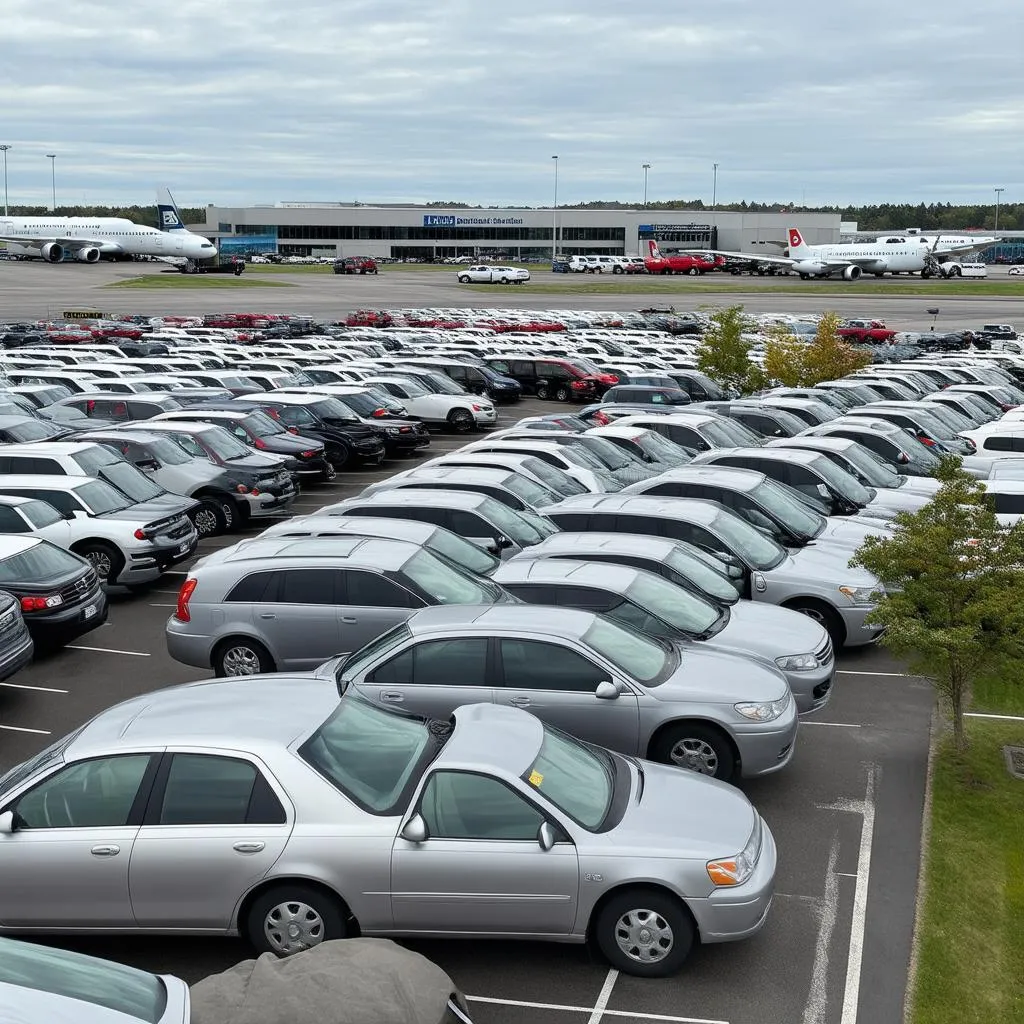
(205, 790)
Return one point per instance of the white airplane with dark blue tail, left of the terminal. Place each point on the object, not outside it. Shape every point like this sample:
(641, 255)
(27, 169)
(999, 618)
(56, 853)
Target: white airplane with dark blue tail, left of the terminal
(91, 238)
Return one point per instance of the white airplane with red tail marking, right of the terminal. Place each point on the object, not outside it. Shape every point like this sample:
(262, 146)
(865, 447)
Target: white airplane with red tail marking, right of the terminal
(893, 254)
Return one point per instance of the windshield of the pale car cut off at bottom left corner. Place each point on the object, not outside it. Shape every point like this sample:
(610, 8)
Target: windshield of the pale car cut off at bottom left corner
(136, 995)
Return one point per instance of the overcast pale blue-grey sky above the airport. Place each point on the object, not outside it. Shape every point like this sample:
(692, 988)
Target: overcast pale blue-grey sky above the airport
(406, 101)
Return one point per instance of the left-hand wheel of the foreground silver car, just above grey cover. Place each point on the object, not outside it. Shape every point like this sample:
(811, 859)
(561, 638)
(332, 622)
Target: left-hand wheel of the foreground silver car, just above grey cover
(325, 920)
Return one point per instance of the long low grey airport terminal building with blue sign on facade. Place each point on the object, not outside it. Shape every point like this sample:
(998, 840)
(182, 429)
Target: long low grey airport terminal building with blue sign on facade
(433, 233)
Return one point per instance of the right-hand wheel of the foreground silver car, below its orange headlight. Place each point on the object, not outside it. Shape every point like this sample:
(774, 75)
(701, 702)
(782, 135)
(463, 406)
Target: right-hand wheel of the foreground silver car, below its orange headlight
(646, 933)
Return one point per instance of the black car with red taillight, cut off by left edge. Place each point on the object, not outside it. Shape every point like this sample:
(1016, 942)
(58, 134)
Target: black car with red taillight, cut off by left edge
(59, 592)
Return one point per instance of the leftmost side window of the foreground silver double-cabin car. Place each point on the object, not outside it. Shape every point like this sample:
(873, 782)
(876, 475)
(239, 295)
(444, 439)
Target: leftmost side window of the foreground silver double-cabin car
(88, 795)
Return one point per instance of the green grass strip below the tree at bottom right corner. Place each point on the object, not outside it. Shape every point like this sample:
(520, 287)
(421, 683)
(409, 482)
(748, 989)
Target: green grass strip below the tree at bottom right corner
(971, 930)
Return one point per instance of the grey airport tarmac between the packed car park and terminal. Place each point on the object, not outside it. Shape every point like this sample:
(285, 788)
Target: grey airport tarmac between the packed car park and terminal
(36, 291)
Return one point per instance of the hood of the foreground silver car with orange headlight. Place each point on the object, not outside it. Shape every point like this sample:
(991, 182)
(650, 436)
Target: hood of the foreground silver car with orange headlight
(681, 815)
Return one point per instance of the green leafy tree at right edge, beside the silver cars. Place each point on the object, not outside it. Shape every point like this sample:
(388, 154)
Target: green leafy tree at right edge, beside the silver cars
(952, 575)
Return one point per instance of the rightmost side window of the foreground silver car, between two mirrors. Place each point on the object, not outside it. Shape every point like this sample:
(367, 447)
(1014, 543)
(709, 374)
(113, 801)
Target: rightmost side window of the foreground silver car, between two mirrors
(463, 805)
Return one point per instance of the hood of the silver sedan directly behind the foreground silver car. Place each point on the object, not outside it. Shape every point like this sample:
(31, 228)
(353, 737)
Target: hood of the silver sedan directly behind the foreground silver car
(720, 676)
